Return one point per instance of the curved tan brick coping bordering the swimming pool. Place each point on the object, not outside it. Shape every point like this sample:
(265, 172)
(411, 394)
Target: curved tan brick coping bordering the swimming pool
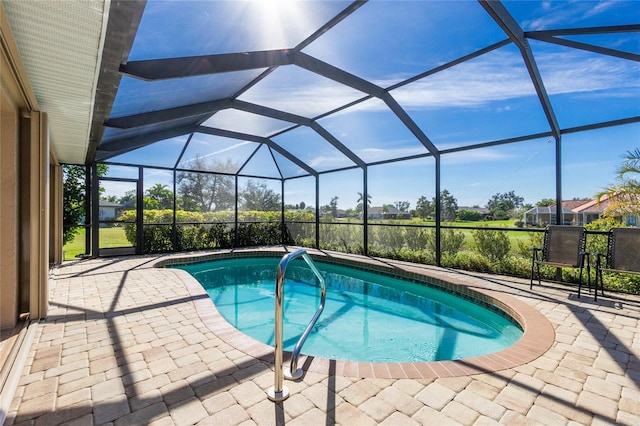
(537, 338)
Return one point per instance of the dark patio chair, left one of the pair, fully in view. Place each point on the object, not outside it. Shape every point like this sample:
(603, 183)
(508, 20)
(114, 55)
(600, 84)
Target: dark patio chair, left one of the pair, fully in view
(563, 247)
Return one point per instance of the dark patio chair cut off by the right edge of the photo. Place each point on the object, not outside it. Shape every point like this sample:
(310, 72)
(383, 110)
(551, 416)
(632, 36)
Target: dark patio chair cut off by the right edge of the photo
(622, 255)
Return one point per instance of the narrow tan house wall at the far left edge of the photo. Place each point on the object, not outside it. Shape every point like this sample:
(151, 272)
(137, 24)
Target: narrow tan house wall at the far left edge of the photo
(8, 212)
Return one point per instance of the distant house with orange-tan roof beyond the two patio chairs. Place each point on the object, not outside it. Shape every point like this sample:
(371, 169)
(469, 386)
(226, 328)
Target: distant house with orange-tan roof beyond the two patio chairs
(574, 212)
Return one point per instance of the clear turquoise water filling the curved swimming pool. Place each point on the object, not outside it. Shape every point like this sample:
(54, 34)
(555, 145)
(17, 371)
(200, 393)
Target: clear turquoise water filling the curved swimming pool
(367, 316)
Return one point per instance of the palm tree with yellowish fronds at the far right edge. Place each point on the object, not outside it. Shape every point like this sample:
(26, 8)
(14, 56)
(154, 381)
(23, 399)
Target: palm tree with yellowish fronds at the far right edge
(624, 196)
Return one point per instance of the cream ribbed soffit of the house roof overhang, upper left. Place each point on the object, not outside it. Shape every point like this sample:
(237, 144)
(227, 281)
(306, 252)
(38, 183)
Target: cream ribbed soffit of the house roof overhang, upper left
(60, 44)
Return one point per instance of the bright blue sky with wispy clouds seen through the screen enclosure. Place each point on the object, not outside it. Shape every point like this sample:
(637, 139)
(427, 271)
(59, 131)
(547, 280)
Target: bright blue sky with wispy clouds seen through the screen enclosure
(488, 98)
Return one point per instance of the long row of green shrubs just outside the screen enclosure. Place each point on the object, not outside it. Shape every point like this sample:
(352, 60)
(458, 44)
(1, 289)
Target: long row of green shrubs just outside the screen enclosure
(490, 251)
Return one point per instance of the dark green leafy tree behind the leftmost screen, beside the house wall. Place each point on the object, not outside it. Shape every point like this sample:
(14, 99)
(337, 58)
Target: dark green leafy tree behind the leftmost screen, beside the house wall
(74, 196)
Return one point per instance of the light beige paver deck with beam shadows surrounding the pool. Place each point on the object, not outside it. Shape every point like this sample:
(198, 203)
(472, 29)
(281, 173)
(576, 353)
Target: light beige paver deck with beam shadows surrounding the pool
(128, 343)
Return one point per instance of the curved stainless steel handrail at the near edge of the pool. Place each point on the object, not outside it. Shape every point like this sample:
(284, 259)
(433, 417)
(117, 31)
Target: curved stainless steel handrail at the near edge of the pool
(279, 392)
